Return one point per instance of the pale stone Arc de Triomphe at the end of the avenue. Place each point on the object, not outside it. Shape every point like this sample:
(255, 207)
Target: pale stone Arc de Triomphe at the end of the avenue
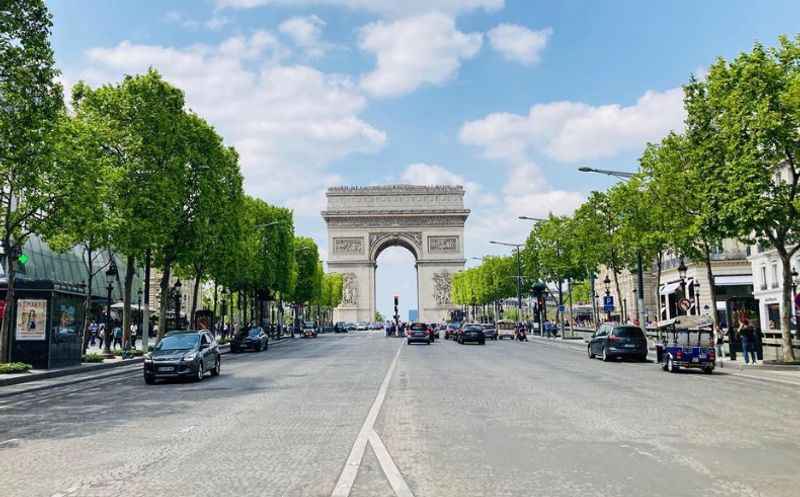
(426, 220)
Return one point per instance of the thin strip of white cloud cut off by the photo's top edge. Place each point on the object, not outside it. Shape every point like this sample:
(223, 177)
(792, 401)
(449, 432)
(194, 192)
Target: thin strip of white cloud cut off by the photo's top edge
(394, 8)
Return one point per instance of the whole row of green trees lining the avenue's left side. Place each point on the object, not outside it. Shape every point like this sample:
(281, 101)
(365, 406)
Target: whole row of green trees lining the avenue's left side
(129, 169)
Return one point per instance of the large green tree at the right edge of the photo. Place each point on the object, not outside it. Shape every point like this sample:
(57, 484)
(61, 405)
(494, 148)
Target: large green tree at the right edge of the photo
(749, 111)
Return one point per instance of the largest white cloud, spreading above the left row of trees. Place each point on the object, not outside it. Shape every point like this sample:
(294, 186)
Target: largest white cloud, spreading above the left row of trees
(287, 122)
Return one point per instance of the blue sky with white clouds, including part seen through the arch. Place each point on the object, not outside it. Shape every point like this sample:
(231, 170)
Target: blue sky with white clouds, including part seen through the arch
(506, 97)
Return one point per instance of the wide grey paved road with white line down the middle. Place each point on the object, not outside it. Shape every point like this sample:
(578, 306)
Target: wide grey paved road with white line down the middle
(322, 417)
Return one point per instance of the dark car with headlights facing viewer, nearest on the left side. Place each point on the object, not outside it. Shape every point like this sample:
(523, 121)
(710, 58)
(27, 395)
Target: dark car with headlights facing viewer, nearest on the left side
(183, 354)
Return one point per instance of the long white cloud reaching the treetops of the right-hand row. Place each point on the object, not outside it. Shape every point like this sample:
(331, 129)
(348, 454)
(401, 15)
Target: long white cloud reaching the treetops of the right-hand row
(574, 131)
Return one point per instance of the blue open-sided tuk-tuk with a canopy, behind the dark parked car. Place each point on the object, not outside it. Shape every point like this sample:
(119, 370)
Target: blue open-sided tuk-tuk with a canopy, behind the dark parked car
(686, 342)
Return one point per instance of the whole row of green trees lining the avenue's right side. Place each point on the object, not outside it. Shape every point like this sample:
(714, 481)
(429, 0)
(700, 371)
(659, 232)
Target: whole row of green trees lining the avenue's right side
(731, 174)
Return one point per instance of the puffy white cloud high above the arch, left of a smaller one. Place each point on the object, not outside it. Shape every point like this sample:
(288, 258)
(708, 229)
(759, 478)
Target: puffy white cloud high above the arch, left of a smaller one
(411, 52)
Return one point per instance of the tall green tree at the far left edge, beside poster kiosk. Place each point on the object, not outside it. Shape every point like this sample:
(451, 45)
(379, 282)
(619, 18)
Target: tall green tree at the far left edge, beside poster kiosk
(31, 105)
